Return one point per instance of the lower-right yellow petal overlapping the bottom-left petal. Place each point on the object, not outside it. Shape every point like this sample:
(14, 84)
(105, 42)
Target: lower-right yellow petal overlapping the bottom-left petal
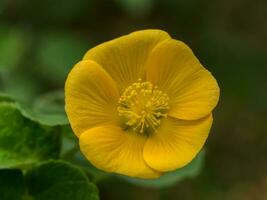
(176, 143)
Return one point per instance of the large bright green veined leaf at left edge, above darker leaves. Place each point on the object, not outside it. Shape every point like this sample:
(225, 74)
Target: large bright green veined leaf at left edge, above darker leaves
(22, 141)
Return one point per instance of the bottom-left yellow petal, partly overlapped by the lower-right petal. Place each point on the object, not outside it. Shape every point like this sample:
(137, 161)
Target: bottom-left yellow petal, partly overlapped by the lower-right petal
(112, 150)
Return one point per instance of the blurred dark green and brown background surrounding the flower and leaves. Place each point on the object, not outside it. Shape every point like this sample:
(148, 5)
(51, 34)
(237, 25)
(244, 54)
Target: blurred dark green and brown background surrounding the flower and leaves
(41, 40)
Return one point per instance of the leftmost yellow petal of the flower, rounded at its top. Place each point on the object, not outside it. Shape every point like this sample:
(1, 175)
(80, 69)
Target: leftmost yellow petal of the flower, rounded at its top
(90, 96)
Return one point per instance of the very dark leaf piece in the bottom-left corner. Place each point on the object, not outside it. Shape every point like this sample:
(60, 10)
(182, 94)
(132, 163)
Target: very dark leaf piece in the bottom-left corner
(12, 185)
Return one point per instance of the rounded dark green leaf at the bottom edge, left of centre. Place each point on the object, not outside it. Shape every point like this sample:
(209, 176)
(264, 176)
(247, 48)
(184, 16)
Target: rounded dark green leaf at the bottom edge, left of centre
(56, 180)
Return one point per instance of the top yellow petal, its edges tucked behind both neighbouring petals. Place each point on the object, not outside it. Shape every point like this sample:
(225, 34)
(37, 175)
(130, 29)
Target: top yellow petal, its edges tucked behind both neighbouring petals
(124, 58)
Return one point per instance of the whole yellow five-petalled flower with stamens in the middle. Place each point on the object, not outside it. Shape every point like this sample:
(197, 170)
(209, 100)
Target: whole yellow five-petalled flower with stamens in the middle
(140, 104)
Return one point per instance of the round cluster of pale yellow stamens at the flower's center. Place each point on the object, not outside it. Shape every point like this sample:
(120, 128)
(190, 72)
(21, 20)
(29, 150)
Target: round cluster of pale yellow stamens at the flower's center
(142, 106)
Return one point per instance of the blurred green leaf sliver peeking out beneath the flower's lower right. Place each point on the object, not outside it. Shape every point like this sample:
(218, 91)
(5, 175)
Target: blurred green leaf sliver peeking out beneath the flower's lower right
(172, 178)
